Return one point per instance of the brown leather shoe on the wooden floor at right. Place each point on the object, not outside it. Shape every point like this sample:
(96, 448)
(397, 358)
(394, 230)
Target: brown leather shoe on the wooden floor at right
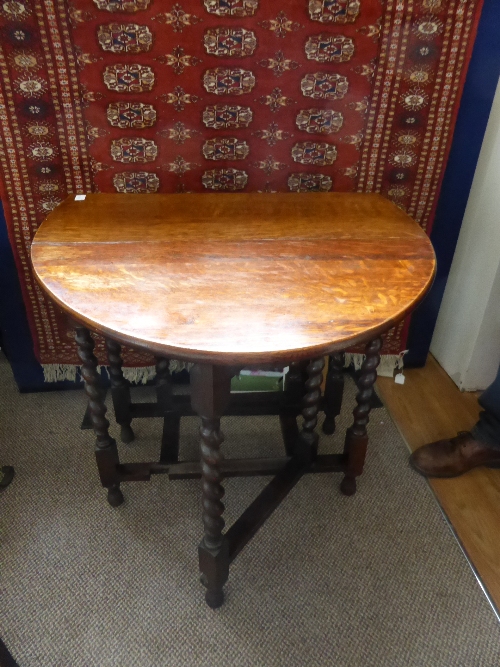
(453, 457)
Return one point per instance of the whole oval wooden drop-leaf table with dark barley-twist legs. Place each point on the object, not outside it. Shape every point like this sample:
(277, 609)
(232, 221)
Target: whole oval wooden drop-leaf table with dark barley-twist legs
(226, 281)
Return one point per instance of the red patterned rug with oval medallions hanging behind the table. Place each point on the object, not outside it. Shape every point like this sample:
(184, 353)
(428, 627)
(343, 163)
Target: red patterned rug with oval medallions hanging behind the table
(227, 95)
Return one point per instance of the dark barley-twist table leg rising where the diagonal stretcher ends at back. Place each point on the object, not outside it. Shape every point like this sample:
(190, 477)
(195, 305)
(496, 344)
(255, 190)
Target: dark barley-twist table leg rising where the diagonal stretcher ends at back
(308, 439)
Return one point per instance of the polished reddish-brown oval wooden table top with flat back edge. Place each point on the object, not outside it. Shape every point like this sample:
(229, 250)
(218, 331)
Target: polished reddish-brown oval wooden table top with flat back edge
(234, 278)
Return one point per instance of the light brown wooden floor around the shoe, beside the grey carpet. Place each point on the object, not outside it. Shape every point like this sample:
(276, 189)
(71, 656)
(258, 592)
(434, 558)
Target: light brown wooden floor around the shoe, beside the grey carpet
(429, 406)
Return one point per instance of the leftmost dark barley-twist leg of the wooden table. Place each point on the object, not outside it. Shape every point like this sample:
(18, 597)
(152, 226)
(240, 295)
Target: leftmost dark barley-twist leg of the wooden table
(106, 452)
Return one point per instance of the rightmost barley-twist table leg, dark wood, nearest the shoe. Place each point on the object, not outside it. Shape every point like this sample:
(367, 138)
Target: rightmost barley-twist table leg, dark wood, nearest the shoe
(356, 440)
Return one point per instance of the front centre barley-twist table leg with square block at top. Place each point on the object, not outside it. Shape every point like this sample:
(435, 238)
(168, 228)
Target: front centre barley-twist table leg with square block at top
(210, 391)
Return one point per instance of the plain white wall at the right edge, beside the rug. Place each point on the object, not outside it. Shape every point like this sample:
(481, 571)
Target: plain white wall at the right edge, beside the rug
(466, 340)
